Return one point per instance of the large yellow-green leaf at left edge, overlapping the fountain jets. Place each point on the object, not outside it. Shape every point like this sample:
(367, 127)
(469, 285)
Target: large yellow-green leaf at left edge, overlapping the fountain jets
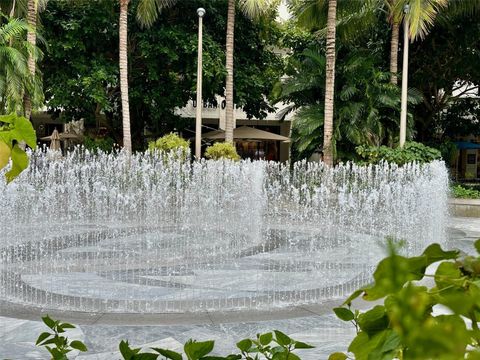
(15, 129)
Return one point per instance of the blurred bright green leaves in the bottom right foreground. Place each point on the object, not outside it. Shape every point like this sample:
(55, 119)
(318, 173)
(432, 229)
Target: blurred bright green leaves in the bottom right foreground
(404, 326)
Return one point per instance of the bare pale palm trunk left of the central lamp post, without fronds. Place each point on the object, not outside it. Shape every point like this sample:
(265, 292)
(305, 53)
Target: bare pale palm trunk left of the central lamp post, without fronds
(123, 32)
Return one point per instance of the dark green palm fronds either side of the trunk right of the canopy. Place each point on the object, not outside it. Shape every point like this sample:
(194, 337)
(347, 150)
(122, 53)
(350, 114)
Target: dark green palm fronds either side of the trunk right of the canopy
(366, 103)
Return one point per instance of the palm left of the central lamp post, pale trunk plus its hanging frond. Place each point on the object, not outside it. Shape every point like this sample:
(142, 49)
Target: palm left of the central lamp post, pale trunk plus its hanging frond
(147, 13)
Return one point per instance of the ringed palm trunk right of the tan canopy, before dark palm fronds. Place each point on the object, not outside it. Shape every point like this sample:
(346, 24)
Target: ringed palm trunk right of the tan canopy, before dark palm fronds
(329, 84)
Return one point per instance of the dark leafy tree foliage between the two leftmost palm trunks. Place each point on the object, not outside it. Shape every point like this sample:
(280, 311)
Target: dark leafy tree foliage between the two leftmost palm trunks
(81, 63)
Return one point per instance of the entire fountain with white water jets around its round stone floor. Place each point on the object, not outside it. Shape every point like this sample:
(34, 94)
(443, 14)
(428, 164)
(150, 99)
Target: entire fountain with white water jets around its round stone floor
(153, 234)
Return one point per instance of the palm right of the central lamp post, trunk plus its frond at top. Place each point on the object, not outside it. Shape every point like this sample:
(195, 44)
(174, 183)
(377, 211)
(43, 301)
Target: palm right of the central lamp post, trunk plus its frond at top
(251, 8)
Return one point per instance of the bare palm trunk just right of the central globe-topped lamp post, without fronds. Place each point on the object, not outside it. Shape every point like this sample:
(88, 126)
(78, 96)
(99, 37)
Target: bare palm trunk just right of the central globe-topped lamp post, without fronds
(229, 66)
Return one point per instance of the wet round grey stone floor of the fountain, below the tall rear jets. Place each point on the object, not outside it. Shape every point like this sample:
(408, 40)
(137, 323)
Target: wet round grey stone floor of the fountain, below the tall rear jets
(141, 270)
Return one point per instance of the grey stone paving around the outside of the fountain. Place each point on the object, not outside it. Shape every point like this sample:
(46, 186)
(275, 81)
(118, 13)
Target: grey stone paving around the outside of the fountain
(102, 333)
